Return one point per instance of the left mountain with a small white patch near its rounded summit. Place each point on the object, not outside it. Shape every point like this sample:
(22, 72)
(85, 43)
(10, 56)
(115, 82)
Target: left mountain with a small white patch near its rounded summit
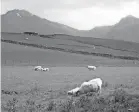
(22, 20)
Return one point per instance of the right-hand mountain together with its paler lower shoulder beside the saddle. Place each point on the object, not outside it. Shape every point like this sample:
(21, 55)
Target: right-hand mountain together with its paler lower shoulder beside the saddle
(126, 29)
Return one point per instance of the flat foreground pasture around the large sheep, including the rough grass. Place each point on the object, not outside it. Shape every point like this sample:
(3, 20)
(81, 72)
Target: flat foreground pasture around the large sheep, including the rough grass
(47, 91)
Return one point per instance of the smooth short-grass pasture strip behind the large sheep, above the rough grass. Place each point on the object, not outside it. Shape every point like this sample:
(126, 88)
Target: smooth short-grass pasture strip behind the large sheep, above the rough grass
(18, 78)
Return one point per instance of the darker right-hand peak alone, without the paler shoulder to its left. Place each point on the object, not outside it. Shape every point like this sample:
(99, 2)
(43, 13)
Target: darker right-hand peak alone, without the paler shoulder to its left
(127, 29)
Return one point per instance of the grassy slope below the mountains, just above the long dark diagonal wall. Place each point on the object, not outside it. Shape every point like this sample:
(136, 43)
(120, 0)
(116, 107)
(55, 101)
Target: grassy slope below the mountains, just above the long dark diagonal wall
(79, 44)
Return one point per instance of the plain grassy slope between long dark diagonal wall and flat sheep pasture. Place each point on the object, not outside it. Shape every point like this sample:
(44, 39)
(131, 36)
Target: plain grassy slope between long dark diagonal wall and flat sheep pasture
(22, 55)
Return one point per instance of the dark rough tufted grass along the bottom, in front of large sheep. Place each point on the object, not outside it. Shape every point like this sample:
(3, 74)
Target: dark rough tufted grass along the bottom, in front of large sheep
(117, 101)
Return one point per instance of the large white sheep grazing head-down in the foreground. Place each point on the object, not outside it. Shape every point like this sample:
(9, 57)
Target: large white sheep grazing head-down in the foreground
(93, 85)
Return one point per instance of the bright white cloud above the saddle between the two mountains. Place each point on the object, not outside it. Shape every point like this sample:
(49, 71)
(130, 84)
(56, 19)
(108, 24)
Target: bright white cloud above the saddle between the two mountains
(87, 18)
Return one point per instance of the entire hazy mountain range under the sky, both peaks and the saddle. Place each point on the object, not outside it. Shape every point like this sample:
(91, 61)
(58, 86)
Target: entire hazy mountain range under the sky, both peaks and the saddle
(126, 29)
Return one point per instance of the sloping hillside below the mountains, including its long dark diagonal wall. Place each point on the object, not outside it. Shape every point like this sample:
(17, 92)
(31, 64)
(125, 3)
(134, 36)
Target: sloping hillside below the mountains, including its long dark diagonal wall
(85, 46)
